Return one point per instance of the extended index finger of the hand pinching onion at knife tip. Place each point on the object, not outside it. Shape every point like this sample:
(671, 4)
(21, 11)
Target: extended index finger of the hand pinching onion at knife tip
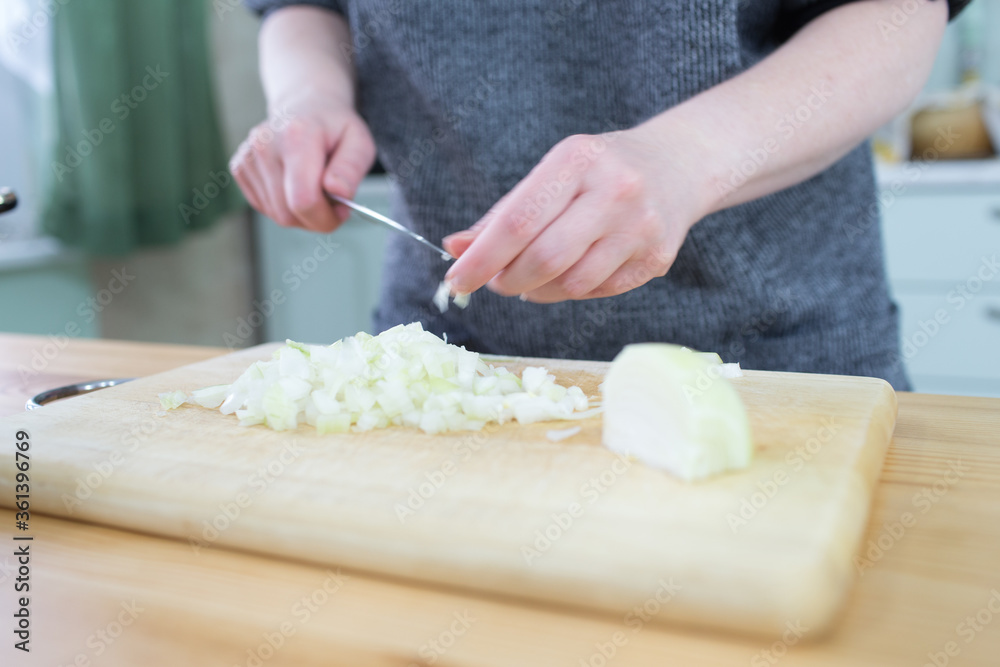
(533, 204)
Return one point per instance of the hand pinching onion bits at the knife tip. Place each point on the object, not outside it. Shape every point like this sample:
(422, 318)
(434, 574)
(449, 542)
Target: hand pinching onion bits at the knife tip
(599, 215)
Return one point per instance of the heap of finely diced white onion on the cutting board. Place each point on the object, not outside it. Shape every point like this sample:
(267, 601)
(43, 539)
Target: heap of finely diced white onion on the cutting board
(403, 377)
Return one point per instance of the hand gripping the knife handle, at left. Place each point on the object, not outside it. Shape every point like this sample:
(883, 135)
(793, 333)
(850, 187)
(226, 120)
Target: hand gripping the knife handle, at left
(288, 163)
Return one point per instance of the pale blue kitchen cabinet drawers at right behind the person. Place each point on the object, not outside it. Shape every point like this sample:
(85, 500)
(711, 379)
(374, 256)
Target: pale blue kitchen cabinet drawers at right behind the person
(941, 227)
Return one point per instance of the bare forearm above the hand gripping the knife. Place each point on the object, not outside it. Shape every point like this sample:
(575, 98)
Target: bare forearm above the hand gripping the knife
(305, 49)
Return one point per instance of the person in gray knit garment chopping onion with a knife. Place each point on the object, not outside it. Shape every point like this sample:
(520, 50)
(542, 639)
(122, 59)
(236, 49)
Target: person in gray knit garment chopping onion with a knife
(693, 172)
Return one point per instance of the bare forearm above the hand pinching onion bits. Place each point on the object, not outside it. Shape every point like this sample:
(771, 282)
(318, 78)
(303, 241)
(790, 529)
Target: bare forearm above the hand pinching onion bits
(806, 105)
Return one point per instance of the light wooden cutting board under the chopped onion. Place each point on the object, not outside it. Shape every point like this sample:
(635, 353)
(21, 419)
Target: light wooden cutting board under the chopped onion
(503, 511)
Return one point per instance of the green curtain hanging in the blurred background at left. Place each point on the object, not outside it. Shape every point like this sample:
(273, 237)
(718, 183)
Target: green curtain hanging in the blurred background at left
(138, 159)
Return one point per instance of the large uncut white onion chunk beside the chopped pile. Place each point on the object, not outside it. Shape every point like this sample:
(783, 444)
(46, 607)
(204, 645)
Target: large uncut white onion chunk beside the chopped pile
(673, 408)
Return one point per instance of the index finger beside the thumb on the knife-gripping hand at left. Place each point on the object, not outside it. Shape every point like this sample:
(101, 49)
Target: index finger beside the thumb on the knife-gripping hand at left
(304, 162)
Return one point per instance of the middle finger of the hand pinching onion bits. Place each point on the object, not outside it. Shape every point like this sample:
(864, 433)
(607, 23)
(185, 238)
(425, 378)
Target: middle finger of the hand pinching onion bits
(557, 248)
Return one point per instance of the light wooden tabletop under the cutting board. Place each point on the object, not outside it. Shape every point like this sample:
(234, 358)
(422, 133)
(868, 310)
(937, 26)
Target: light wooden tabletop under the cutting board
(100, 596)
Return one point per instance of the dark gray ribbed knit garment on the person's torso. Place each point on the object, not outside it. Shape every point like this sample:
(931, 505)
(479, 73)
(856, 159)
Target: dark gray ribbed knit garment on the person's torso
(465, 98)
